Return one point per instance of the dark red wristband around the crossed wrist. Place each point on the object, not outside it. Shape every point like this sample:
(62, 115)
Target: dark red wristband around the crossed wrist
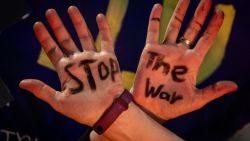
(119, 105)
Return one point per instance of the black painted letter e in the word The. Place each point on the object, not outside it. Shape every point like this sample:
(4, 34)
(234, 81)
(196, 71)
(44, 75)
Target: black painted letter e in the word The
(177, 72)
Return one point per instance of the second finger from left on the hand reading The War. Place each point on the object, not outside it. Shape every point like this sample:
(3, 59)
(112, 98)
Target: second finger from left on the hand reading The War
(176, 21)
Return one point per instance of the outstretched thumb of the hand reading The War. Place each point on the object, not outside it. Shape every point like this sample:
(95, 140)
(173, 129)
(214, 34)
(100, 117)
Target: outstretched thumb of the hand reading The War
(215, 91)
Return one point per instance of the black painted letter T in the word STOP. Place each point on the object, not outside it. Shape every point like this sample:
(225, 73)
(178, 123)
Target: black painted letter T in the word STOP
(85, 64)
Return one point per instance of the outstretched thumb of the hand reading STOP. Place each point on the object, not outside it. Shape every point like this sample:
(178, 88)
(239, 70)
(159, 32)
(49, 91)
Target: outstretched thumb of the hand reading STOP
(41, 90)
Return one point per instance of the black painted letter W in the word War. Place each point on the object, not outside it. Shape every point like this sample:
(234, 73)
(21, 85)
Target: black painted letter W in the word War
(150, 90)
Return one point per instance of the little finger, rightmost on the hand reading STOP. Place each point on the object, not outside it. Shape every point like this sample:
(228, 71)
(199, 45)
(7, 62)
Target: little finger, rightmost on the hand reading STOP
(106, 37)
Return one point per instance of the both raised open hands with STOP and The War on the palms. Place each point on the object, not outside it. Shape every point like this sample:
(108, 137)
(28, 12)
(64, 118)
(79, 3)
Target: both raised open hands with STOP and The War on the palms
(165, 82)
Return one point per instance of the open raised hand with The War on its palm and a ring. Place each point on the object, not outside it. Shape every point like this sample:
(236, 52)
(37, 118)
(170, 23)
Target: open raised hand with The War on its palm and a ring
(165, 83)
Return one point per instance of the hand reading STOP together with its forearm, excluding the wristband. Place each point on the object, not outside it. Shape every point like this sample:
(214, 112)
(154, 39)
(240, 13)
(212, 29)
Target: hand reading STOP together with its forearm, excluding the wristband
(90, 80)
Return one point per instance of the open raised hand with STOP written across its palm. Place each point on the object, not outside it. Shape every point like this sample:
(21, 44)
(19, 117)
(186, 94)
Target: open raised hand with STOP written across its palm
(90, 80)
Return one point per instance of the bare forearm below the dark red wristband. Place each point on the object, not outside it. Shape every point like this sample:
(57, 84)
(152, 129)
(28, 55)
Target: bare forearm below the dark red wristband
(134, 125)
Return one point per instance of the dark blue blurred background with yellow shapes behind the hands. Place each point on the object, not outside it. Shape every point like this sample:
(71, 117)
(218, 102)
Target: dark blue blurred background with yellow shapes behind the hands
(24, 117)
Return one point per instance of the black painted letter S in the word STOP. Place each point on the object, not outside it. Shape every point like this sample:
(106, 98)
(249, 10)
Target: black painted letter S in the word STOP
(78, 81)
